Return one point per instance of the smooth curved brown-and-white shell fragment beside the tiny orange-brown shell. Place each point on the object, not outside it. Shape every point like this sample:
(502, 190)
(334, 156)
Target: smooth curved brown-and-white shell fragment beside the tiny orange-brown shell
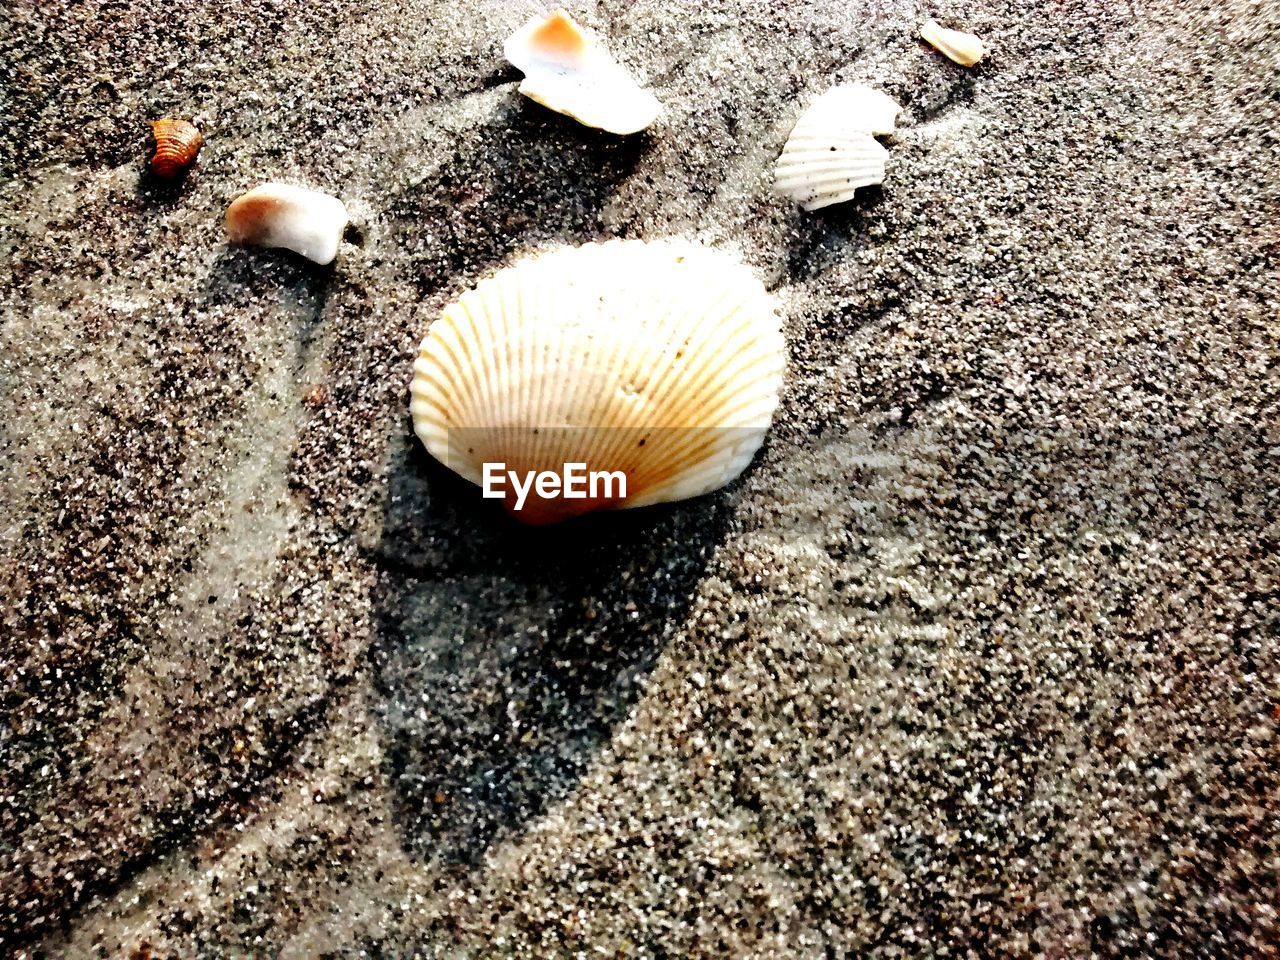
(281, 216)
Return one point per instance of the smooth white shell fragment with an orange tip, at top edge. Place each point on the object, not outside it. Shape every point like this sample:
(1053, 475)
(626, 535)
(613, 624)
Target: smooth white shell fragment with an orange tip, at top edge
(568, 71)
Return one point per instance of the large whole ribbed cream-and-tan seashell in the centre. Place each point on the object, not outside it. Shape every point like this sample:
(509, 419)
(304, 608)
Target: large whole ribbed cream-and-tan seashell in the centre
(660, 360)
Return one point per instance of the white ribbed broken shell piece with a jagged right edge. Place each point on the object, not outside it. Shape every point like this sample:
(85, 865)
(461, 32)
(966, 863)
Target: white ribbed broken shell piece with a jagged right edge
(833, 150)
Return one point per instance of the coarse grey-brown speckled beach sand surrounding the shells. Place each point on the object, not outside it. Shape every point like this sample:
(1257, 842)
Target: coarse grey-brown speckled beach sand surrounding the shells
(979, 660)
